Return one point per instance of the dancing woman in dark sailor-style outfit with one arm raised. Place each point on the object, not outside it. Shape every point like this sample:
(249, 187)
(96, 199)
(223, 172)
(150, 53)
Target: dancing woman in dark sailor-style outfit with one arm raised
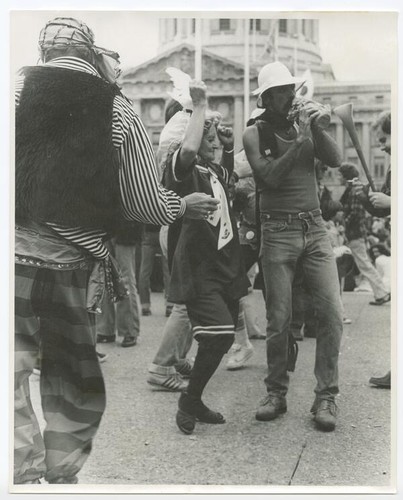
(207, 271)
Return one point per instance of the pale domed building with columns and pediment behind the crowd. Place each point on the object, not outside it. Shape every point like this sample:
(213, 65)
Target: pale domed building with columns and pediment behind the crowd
(294, 42)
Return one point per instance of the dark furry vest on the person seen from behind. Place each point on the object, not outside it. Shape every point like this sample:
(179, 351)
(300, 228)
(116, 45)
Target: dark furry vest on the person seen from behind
(66, 164)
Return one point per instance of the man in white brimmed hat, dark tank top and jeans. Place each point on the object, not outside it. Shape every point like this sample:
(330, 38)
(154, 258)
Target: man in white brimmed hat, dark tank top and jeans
(281, 154)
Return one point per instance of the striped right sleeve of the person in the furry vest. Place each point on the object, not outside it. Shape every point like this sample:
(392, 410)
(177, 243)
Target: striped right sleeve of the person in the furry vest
(143, 198)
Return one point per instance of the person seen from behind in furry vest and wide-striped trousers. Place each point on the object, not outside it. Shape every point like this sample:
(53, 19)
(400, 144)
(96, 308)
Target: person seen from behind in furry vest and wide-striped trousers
(83, 164)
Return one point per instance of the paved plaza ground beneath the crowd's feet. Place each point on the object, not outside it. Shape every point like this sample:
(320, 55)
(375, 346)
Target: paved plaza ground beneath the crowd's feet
(138, 444)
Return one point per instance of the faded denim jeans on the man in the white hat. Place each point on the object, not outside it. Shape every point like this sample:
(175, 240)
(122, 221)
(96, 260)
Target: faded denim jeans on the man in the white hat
(284, 242)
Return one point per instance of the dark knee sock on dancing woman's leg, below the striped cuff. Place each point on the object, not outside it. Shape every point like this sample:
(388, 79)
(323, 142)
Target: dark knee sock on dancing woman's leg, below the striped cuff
(209, 355)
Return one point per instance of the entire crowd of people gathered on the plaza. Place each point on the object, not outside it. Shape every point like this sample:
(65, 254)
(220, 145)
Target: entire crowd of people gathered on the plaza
(93, 209)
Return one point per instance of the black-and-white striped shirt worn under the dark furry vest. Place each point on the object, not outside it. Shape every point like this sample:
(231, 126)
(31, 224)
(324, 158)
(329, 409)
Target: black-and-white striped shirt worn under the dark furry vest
(143, 198)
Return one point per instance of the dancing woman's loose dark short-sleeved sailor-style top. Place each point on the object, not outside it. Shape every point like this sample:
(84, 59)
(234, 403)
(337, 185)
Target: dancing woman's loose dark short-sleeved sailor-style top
(197, 260)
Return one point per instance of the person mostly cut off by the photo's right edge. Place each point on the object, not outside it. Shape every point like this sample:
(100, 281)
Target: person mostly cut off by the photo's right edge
(379, 203)
